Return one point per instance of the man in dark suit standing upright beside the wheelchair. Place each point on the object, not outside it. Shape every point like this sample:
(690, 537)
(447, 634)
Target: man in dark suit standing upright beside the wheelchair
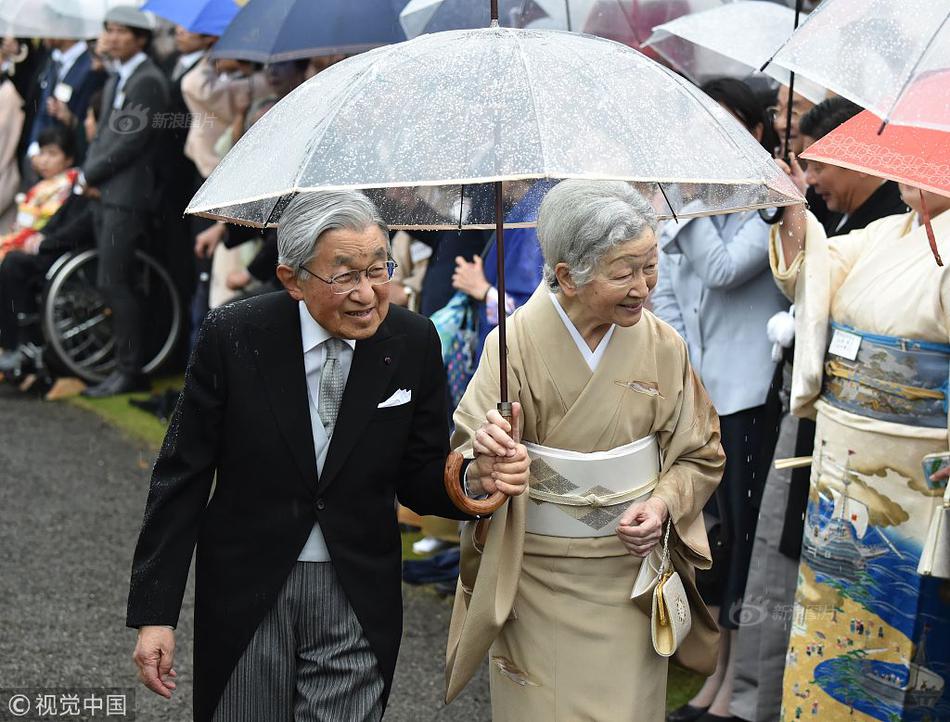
(120, 176)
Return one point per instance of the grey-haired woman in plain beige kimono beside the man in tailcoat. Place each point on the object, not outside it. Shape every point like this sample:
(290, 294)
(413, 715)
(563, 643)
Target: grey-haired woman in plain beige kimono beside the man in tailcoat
(547, 587)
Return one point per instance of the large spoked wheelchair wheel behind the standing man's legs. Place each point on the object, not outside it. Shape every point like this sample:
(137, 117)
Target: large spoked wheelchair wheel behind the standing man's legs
(77, 322)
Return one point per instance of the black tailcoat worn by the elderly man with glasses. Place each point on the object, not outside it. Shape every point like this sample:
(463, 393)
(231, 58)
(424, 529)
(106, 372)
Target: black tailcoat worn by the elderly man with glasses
(244, 414)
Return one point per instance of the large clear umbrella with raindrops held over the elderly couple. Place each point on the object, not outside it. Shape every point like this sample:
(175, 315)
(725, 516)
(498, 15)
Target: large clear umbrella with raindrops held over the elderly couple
(426, 126)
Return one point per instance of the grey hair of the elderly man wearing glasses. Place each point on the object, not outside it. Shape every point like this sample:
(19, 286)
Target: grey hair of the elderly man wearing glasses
(309, 215)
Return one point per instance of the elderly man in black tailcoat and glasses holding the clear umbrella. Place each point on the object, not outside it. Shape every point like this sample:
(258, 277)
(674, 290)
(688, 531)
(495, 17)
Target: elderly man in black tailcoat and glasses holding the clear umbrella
(317, 408)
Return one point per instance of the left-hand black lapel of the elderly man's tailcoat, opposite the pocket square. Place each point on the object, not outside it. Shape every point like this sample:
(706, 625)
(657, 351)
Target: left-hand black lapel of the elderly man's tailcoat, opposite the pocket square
(279, 356)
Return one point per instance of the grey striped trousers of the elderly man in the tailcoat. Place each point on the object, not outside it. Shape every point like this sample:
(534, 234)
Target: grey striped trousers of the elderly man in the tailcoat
(308, 661)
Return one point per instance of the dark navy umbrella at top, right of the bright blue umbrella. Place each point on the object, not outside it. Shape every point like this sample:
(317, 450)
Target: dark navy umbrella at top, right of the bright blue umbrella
(268, 31)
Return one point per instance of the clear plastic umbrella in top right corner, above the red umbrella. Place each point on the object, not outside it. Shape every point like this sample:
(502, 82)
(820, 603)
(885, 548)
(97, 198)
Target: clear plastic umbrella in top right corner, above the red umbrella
(879, 54)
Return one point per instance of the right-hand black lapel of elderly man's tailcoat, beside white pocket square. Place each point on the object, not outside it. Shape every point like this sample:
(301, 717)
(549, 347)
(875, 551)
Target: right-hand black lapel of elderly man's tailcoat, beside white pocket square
(374, 362)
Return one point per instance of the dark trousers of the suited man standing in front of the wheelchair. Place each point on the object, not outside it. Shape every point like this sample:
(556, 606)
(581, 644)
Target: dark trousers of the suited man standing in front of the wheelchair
(119, 233)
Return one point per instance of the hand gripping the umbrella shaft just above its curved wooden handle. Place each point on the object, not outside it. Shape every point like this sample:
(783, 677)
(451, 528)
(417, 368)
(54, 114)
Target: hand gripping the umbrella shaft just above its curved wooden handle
(501, 463)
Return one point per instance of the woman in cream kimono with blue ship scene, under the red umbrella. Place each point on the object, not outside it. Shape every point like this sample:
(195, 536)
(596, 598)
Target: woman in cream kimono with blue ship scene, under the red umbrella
(872, 354)
